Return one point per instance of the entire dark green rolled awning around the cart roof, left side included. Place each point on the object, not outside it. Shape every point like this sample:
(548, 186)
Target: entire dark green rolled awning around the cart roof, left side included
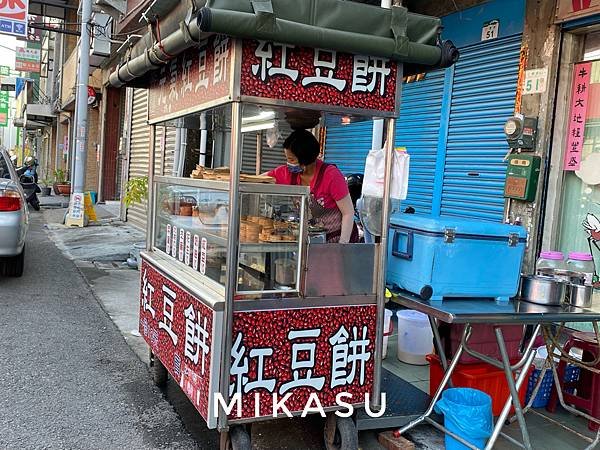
(340, 25)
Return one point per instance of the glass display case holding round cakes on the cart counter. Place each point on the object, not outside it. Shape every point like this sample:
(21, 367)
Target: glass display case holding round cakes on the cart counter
(191, 227)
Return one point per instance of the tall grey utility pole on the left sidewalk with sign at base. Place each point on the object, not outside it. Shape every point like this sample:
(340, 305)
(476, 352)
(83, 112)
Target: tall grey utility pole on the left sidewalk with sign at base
(75, 215)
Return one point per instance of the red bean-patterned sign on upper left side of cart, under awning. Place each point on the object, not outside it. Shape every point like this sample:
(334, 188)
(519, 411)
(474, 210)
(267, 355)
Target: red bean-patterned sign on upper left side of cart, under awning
(196, 77)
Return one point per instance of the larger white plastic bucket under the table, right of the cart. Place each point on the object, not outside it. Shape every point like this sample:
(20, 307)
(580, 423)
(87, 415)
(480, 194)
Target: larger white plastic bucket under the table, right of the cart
(415, 338)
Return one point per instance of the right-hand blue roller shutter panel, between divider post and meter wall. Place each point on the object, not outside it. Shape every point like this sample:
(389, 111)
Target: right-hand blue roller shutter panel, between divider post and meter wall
(483, 97)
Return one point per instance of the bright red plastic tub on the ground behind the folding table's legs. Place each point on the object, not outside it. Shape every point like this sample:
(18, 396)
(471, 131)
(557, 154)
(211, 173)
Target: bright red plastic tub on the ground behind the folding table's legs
(481, 376)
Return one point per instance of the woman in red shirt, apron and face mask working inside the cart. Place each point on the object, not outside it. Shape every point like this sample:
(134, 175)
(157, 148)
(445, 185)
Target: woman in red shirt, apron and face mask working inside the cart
(329, 202)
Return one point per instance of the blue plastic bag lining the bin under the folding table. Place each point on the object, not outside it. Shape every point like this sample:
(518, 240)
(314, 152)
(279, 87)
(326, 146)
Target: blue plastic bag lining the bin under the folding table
(468, 414)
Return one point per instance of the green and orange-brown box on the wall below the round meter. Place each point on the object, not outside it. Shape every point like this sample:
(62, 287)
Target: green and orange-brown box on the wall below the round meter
(522, 176)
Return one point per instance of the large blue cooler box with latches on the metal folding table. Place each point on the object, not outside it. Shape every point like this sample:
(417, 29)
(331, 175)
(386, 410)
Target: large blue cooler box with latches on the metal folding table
(450, 257)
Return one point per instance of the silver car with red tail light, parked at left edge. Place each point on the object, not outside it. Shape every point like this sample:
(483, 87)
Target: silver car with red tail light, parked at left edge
(14, 219)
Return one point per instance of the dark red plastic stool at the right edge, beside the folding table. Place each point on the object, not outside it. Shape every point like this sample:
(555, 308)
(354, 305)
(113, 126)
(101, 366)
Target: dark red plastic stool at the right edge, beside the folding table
(583, 393)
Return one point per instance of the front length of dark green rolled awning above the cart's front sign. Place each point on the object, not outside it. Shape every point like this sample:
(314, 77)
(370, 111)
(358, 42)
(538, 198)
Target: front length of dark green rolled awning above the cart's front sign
(332, 24)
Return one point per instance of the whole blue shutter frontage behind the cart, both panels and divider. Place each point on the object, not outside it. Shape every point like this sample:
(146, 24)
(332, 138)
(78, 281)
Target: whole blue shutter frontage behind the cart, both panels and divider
(452, 125)
